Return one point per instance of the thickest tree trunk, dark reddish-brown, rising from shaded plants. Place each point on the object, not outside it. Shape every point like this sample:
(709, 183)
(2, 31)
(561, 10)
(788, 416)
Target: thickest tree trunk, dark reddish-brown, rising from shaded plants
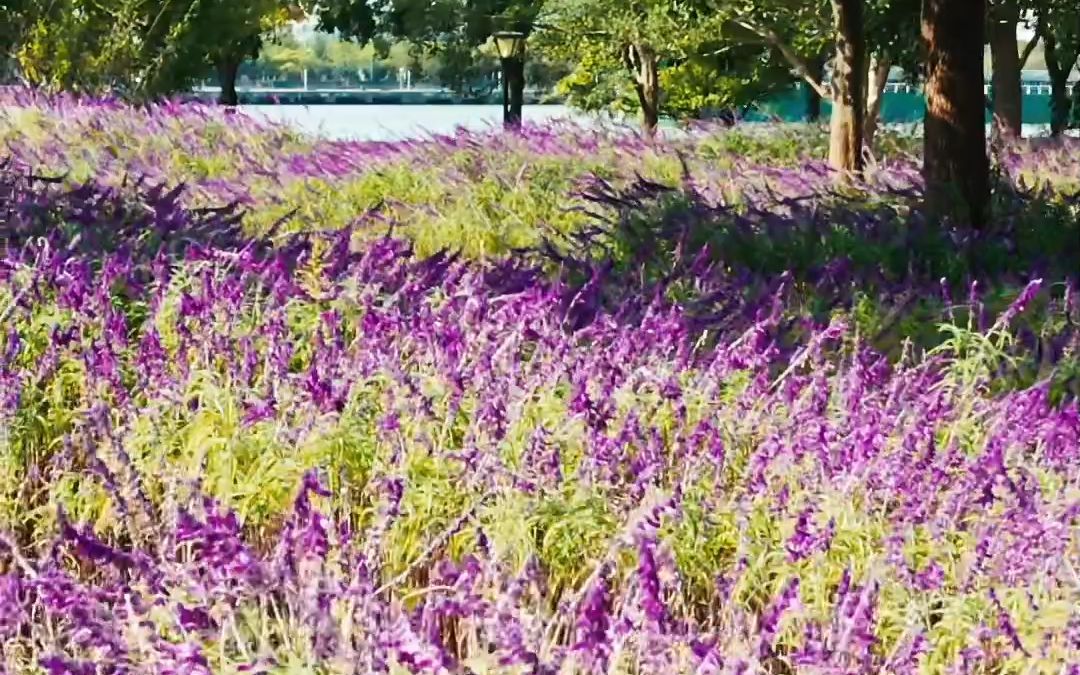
(956, 169)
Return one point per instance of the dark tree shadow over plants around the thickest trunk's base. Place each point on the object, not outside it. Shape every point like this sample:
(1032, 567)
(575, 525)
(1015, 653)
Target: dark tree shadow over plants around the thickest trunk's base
(871, 255)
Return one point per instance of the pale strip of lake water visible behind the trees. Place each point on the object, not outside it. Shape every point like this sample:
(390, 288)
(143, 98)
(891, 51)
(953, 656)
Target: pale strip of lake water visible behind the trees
(402, 123)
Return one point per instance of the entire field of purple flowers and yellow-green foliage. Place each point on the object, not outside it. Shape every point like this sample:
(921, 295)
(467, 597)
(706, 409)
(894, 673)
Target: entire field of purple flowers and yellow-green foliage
(277, 406)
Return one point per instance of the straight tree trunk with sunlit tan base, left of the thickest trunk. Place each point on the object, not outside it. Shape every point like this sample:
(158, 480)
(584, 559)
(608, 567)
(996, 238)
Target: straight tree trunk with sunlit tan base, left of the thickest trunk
(846, 132)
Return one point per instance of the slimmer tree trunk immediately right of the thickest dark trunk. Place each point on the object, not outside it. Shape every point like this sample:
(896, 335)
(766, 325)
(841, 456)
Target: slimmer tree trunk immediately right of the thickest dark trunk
(1008, 101)
